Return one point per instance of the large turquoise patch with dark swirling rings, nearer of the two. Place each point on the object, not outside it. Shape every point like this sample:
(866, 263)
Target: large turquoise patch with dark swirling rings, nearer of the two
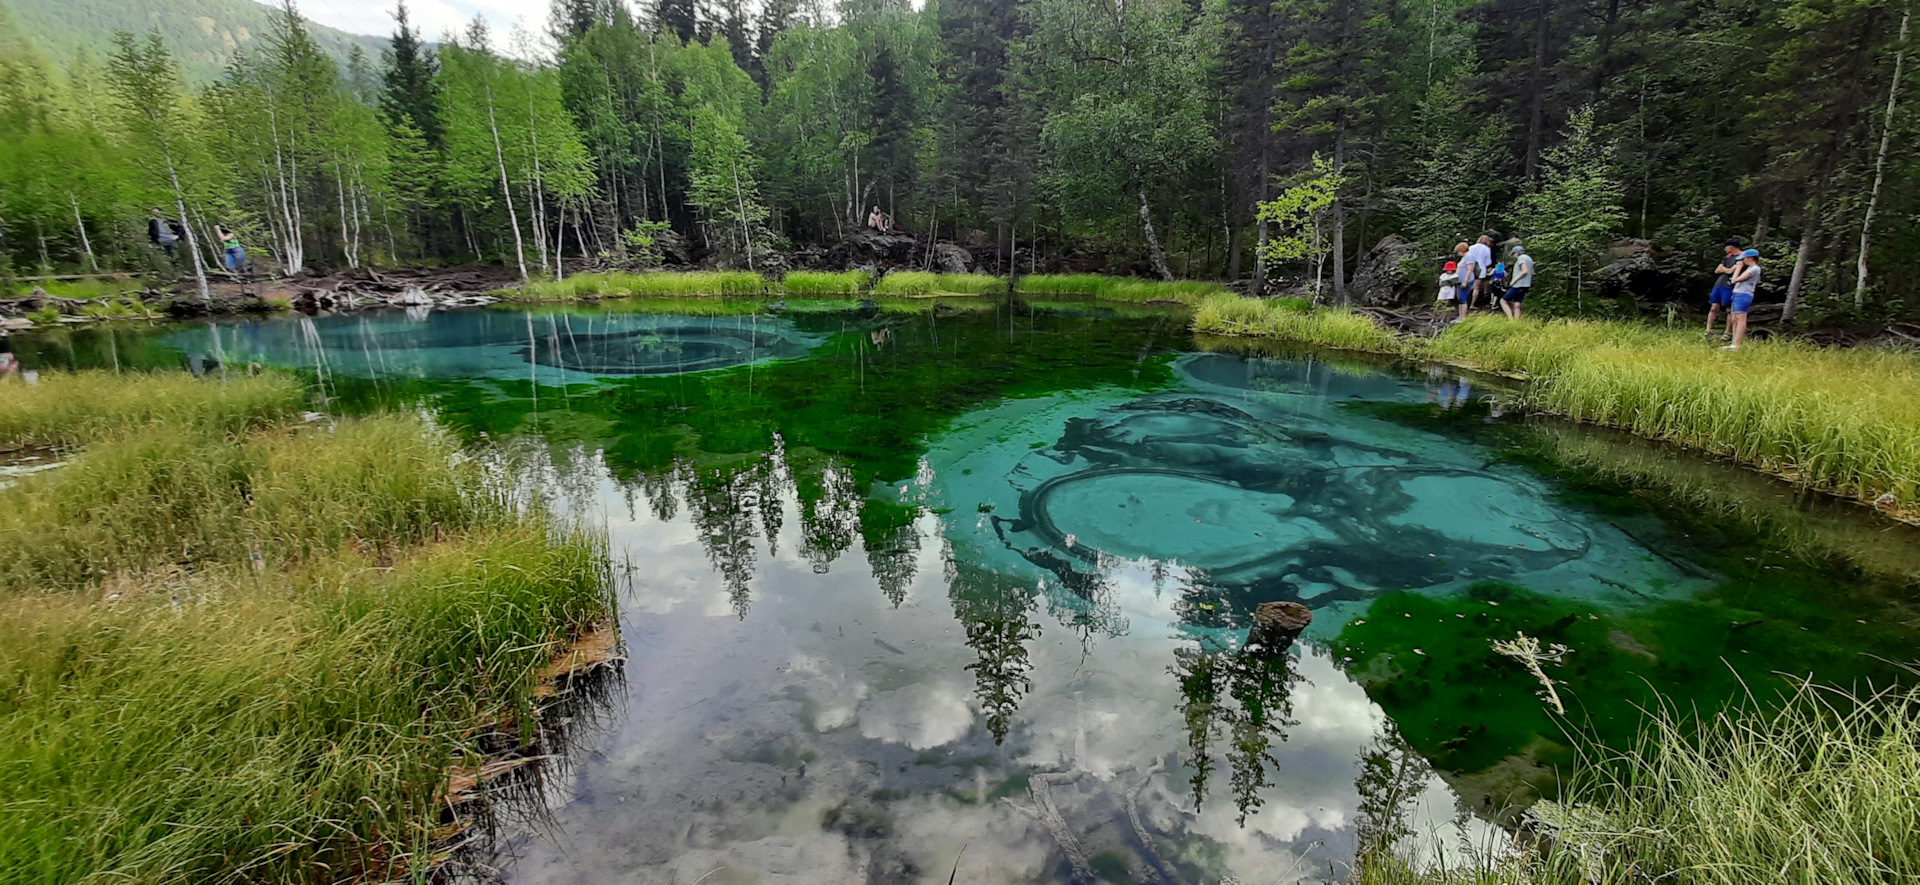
(1266, 512)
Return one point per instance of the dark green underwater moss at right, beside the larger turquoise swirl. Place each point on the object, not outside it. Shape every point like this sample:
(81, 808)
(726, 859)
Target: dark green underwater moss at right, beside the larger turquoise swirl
(1781, 613)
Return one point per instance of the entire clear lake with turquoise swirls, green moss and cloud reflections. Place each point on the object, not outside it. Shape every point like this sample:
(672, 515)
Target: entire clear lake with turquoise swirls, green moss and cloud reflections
(961, 590)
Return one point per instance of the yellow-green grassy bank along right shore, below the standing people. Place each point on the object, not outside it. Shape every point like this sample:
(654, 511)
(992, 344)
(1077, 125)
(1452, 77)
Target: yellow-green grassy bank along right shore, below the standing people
(1844, 421)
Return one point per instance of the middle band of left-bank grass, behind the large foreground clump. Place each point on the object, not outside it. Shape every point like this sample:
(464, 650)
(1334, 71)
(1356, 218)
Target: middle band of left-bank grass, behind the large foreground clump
(181, 498)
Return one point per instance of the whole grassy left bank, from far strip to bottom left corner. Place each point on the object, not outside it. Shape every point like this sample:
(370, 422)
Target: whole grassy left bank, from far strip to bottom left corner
(239, 646)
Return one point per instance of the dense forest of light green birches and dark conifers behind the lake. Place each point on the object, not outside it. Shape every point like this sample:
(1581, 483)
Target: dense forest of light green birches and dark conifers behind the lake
(1276, 141)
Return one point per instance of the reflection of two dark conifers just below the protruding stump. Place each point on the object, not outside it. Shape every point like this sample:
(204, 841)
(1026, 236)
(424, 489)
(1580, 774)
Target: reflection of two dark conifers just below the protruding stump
(1245, 700)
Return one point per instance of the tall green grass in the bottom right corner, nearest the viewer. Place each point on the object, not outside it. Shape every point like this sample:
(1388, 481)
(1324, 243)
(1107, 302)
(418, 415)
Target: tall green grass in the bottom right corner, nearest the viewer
(1817, 792)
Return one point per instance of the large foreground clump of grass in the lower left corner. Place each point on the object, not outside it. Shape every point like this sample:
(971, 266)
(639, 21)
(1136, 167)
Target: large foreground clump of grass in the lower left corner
(274, 729)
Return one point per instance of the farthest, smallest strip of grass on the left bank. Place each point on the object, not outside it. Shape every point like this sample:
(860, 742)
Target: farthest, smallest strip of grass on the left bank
(82, 408)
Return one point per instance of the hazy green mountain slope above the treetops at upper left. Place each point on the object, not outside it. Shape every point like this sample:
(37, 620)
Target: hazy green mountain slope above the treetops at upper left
(203, 34)
